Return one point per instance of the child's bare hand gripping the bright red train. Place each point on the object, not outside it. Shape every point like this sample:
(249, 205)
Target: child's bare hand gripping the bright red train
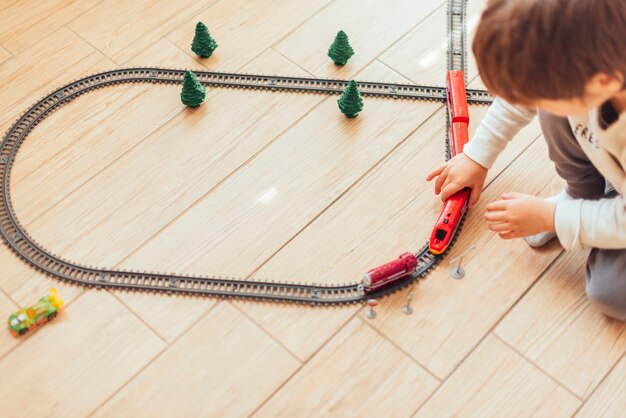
(456, 174)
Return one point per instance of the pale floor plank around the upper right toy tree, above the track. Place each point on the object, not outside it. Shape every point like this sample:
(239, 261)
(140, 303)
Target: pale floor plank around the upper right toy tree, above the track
(372, 27)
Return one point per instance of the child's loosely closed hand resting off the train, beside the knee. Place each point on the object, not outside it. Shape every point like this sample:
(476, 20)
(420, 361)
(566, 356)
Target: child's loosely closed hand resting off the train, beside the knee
(519, 215)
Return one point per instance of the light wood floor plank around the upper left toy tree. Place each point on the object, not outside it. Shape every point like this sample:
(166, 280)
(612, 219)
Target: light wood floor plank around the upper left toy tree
(244, 29)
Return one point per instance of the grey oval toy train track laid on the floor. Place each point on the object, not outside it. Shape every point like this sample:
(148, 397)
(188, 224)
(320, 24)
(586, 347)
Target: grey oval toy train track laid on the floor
(19, 240)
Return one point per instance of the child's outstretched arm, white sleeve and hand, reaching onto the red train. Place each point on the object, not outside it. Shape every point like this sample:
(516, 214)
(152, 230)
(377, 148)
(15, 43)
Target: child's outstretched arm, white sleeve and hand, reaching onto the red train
(469, 169)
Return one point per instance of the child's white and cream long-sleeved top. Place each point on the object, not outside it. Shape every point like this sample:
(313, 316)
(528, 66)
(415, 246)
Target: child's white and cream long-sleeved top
(578, 223)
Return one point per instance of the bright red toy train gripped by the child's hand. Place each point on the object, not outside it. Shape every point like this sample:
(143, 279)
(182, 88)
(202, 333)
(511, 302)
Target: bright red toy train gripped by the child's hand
(456, 205)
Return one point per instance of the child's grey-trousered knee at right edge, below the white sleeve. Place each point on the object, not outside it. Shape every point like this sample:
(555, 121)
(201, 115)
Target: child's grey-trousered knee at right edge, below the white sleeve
(607, 293)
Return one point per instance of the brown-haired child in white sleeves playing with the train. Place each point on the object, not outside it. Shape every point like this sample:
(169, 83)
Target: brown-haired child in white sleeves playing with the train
(565, 61)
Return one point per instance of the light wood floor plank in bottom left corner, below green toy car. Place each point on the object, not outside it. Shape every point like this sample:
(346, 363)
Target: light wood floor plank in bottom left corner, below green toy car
(75, 363)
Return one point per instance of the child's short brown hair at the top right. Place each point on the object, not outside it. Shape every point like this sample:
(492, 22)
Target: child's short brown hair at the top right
(549, 49)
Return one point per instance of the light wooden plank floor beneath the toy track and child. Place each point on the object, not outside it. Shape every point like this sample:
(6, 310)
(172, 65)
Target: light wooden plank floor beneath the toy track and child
(278, 186)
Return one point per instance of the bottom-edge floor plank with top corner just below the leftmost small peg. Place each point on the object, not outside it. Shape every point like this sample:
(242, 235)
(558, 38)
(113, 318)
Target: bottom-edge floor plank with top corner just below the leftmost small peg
(358, 373)
